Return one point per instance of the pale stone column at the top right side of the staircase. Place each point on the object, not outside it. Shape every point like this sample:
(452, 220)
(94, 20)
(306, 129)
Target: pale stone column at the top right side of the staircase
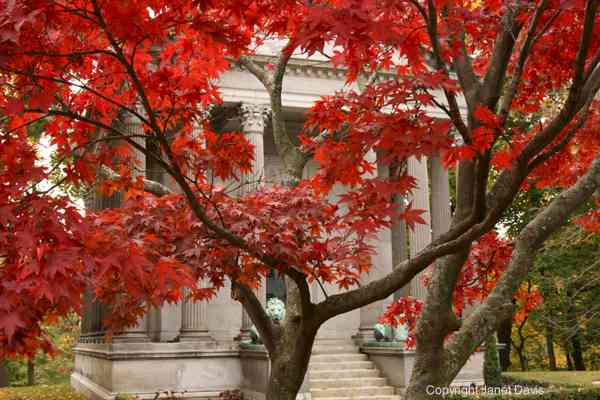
(381, 266)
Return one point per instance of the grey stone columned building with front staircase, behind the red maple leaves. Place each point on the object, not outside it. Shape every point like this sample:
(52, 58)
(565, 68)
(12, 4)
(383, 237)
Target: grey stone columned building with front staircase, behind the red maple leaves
(193, 349)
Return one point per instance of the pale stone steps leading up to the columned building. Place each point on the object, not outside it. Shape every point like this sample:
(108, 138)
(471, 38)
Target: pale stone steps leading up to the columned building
(338, 371)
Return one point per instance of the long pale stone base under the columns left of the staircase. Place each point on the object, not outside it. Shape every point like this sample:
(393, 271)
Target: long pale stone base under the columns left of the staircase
(190, 370)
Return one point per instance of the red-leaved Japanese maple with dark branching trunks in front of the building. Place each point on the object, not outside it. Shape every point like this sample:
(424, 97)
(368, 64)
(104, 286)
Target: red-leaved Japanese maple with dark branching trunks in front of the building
(87, 68)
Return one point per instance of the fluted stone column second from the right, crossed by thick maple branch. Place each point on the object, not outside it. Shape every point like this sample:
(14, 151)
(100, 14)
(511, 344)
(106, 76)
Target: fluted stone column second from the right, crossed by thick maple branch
(420, 237)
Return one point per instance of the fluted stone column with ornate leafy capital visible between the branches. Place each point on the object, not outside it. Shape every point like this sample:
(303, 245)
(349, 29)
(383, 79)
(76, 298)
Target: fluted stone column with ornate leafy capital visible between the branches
(253, 121)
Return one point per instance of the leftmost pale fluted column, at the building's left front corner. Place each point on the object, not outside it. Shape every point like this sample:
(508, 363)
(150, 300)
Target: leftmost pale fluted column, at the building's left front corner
(133, 126)
